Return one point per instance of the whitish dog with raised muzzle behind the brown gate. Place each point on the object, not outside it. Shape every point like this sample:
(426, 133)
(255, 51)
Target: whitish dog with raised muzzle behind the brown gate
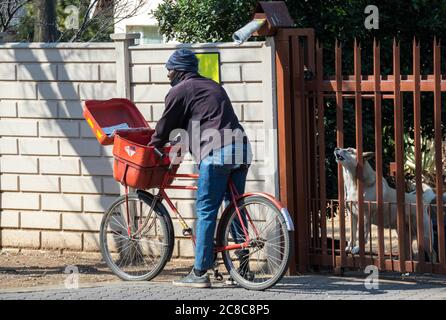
(347, 158)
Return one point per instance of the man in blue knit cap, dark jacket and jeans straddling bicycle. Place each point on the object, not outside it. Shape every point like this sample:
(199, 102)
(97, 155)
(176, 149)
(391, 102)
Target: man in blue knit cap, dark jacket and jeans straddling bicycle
(216, 140)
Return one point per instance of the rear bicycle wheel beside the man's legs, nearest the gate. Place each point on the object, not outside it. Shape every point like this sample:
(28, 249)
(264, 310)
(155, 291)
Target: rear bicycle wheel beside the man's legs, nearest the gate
(264, 262)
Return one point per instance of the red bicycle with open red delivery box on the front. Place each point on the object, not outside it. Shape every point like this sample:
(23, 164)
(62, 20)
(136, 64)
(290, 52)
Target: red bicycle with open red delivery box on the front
(254, 234)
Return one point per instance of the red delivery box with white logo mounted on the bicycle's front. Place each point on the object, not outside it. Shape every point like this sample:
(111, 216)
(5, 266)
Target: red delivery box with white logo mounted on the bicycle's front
(136, 164)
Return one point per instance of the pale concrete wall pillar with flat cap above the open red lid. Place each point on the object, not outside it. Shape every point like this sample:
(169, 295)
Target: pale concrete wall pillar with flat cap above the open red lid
(122, 43)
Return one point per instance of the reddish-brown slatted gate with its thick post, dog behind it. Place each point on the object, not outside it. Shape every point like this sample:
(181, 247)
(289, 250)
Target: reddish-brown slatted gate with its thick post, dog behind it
(323, 225)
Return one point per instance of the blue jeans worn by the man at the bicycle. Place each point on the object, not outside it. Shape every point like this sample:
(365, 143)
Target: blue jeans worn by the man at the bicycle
(230, 161)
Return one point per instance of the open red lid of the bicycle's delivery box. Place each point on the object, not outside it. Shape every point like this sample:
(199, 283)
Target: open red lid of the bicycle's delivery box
(104, 115)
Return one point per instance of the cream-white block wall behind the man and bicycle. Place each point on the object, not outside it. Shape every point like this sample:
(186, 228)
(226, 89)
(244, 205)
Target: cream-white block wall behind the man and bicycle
(56, 180)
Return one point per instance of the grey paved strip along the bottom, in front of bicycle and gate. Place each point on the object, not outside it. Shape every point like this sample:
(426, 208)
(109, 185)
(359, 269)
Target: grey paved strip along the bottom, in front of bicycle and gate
(306, 287)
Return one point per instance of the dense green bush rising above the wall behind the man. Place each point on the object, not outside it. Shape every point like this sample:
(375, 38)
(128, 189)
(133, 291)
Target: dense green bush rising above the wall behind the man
(204, 20)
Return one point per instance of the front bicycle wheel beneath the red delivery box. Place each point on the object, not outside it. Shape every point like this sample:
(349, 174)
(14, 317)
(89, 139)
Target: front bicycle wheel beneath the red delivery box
(132, 256)
